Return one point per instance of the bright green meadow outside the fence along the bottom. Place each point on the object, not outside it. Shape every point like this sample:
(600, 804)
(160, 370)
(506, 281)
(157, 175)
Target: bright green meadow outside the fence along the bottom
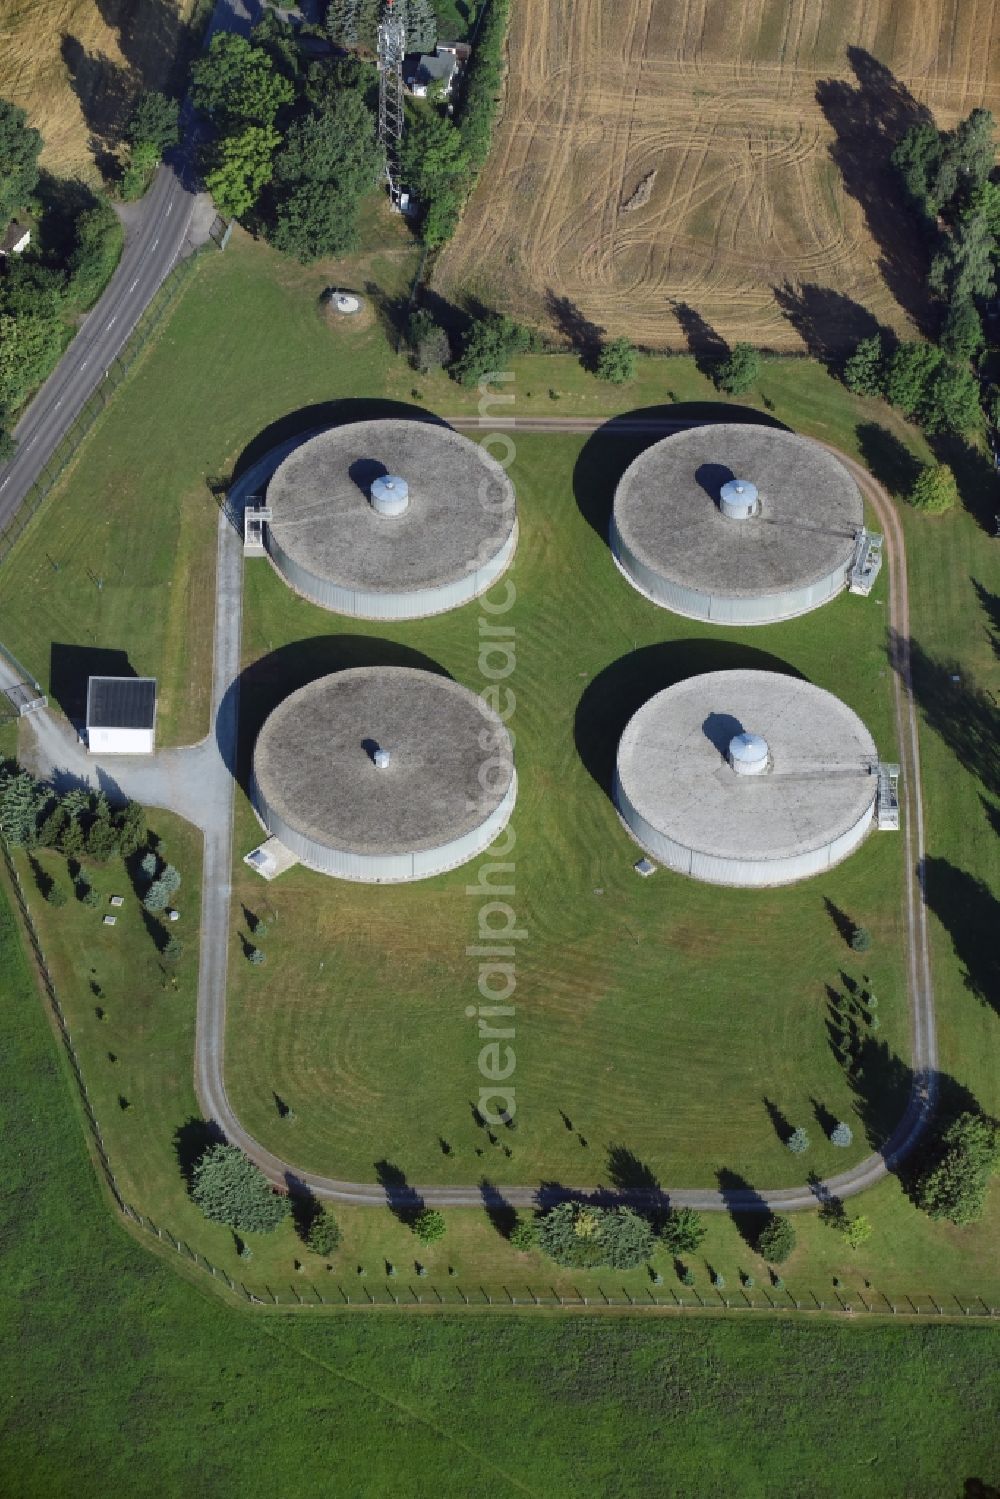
(122, 1377)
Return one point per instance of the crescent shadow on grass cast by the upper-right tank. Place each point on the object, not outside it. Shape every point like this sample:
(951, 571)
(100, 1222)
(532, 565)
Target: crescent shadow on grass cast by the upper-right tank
(618, 443)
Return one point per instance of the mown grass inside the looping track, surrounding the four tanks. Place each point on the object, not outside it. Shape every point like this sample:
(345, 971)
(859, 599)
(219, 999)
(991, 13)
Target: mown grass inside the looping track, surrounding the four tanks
(629, 993)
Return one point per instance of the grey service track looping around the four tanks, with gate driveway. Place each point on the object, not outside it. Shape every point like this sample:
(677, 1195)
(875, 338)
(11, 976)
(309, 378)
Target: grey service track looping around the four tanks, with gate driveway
(199, 785)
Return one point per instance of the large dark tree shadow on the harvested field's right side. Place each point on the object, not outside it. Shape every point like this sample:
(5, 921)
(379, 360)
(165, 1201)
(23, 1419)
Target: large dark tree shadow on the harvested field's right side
(869, 121)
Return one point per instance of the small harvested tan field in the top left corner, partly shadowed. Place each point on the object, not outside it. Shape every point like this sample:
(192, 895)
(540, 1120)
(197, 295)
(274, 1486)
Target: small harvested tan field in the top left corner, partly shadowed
(74, 65)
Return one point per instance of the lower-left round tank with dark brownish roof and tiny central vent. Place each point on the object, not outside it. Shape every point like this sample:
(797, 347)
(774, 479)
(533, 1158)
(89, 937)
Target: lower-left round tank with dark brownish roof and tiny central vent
(385, 774)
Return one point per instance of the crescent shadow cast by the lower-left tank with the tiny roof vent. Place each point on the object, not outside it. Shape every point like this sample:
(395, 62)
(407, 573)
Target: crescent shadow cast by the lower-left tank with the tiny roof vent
(271, 680)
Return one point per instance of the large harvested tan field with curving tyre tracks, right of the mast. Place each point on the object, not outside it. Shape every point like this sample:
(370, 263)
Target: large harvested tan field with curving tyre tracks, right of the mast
(671, 169)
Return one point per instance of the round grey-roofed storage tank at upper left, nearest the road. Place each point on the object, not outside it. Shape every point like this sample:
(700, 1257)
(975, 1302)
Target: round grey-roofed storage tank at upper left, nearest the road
(341, 537)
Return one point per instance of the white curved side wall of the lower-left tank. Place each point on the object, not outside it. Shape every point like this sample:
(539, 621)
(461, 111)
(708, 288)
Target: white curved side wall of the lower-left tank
(386, 869)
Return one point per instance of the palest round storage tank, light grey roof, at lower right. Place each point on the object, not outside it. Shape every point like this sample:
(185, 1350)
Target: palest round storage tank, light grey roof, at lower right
(747, 779)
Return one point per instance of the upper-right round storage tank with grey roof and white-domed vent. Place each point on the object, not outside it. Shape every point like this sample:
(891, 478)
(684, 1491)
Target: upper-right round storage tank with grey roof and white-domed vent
(737, 524)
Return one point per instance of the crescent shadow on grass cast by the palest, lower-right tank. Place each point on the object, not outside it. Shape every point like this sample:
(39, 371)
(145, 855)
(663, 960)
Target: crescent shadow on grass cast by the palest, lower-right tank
(621, 689)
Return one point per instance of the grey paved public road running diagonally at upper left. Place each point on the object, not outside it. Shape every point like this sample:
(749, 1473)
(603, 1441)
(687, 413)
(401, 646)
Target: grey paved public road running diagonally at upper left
(158, 236)
